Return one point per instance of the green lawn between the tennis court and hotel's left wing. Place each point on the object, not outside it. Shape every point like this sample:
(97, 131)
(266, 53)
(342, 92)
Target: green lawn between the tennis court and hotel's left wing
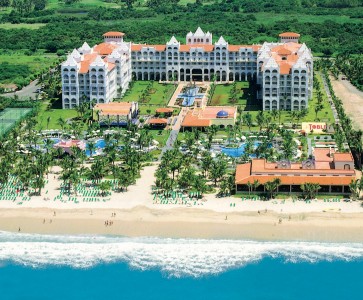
(54, 115)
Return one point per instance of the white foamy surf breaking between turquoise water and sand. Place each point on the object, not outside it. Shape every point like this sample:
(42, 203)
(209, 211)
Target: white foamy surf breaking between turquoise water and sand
(174, 257)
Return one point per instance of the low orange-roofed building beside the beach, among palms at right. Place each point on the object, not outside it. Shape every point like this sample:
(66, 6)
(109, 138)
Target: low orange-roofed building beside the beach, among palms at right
(332, 171)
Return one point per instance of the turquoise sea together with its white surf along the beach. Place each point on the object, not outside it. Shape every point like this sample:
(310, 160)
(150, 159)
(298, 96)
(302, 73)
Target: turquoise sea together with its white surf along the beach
(97, 267)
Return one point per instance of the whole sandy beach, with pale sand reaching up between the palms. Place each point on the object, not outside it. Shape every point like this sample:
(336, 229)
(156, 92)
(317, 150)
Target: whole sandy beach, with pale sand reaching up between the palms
(137, 214)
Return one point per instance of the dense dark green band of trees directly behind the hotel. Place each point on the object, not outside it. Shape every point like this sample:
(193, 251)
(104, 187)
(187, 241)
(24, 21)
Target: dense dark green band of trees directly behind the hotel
(327, 37)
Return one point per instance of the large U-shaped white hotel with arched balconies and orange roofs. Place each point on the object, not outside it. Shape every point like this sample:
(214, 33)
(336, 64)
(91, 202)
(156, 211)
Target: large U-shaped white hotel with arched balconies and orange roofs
(283, 71)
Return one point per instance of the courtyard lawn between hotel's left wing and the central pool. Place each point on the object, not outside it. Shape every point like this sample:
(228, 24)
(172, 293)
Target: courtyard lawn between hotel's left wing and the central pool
(159, 95)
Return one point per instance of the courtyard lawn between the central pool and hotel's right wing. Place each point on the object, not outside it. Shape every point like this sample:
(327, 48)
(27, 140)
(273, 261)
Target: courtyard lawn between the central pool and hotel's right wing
(222, 91)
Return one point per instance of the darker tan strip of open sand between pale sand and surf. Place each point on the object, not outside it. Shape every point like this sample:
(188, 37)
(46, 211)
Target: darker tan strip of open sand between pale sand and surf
(187, 223)
